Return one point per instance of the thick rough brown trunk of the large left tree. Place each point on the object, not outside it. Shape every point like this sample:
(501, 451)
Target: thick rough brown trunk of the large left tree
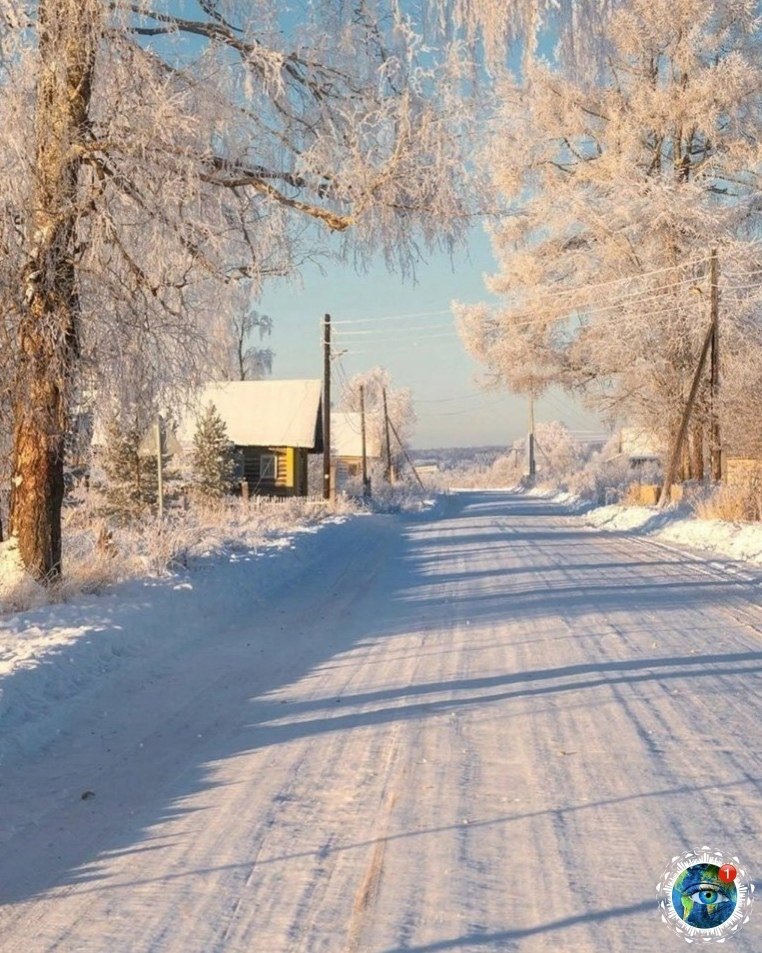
(69, 31)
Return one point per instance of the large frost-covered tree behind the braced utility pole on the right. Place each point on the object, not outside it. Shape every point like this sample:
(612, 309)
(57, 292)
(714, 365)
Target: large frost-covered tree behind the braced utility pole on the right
(621, 179)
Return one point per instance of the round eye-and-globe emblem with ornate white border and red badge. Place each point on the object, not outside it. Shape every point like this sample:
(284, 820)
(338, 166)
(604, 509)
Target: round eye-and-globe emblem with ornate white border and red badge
(702, 896)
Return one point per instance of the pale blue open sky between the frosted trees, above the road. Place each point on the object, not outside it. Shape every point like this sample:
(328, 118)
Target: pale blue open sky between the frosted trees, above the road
(421, 351)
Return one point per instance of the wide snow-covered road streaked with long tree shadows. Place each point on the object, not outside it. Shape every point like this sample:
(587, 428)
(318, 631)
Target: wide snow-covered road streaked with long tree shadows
(482, 728)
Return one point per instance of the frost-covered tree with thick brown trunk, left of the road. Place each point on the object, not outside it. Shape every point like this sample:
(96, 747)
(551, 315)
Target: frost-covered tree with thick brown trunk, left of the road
(154, 153)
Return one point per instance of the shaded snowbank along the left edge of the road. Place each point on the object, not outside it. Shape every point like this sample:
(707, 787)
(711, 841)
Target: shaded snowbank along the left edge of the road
(53, 656)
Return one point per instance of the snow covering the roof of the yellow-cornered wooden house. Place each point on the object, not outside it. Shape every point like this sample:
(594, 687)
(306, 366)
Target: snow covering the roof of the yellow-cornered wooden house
(262, 413)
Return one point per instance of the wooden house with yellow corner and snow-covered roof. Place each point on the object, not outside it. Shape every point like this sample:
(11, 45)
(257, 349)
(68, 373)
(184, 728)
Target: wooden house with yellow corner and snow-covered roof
(273, 424)
